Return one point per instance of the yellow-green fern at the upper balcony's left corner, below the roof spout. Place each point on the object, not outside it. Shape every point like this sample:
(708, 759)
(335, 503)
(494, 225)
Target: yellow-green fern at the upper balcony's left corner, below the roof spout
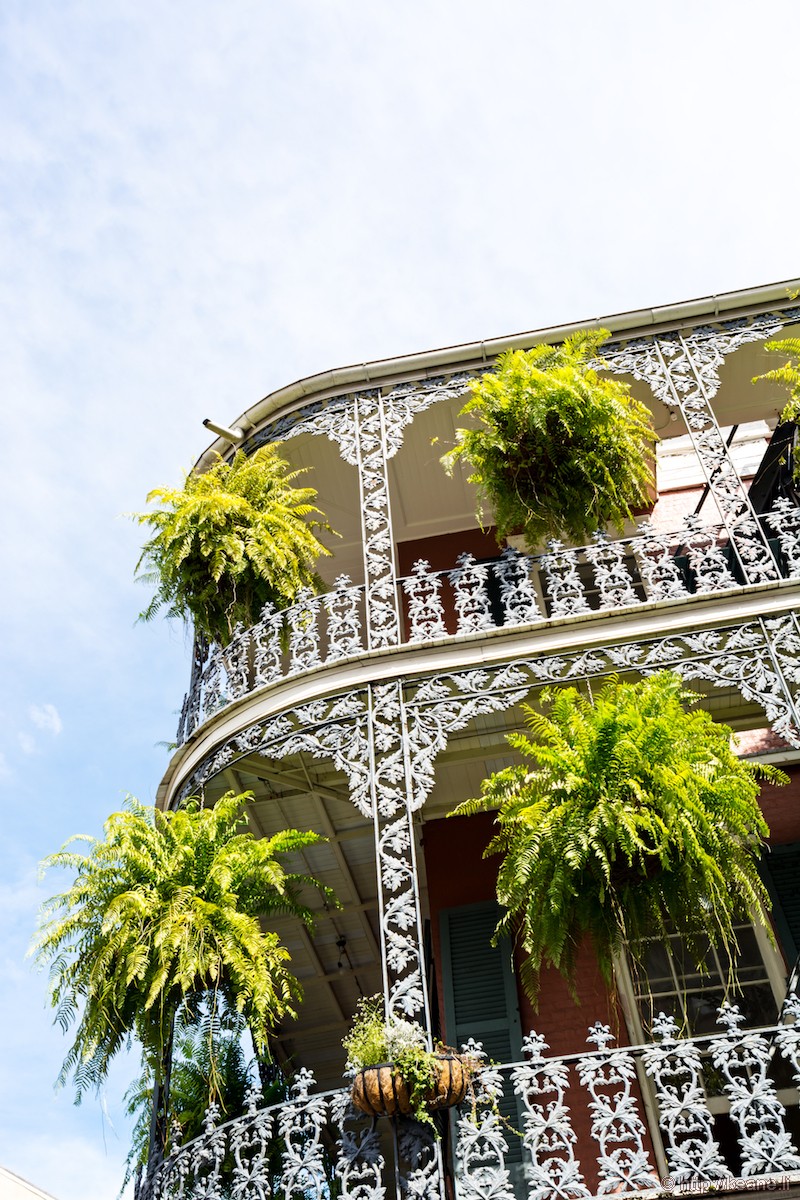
(231, 541)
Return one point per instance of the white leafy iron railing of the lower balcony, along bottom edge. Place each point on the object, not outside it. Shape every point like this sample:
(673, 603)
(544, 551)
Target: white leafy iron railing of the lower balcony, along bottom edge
(573, 1127)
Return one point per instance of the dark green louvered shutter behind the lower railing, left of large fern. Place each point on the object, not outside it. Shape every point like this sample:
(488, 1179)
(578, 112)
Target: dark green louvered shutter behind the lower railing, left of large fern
(480, 995)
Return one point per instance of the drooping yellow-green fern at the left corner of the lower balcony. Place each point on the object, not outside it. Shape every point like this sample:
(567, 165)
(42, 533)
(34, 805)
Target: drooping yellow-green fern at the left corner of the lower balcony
(166, 908)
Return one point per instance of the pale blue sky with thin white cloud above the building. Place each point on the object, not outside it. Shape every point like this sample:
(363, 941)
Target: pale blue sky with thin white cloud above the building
(202, 203)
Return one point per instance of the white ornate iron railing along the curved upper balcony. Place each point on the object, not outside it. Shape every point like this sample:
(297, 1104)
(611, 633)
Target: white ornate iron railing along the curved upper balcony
(513, 591)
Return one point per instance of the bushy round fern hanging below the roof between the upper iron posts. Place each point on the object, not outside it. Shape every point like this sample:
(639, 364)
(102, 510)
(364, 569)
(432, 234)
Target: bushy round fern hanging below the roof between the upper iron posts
(558, 451)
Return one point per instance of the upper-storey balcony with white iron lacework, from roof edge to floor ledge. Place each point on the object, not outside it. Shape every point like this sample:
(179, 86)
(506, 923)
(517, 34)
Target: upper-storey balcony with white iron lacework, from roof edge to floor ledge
(416, 587)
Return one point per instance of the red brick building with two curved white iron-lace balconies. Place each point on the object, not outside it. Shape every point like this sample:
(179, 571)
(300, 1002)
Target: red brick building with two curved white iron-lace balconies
(370, 712)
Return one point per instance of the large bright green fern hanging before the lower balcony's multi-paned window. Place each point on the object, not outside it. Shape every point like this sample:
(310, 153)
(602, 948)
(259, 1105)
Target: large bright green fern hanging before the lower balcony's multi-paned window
(631, 815)
